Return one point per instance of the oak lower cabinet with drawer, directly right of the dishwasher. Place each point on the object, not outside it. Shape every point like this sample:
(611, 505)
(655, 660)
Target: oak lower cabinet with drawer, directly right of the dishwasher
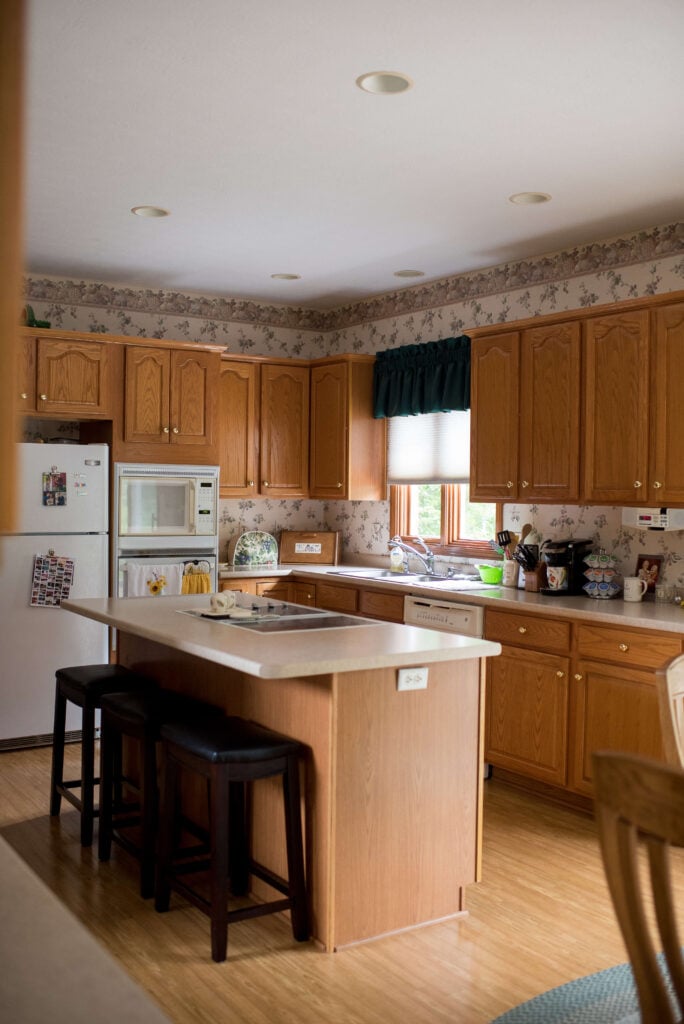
(527, 708)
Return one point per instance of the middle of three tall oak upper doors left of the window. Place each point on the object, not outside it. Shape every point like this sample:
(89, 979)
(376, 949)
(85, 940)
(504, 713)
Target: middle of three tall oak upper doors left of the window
(284, 432)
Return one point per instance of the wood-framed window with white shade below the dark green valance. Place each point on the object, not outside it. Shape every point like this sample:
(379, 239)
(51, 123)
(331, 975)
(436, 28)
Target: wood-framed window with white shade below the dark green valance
(429, 471)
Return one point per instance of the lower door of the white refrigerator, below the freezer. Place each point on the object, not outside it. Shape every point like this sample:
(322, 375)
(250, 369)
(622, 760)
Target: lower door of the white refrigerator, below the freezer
(37, 642)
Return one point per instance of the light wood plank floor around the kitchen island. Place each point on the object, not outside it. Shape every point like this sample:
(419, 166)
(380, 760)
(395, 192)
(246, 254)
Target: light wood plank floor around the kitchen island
(540, 918)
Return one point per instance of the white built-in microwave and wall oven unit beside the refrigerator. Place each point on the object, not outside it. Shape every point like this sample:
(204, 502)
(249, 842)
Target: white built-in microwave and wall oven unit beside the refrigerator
(165, 518)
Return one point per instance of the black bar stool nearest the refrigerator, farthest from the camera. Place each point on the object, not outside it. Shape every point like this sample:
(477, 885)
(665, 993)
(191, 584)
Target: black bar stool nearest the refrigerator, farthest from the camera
(84, 686)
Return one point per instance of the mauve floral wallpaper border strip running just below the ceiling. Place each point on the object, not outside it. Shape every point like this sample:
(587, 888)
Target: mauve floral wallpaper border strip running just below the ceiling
(652, 244)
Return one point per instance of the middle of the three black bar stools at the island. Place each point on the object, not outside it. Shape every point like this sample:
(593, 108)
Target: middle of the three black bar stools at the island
(140, 716)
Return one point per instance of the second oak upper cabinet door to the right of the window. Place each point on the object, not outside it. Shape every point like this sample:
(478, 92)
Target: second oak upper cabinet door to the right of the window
(550, 413)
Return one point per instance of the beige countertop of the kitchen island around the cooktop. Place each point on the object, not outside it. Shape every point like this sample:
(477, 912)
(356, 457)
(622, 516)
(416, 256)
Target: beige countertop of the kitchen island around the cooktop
(366, 646)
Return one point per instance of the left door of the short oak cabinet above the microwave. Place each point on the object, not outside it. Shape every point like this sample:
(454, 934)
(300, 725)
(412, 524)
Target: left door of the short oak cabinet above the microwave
(147, 389)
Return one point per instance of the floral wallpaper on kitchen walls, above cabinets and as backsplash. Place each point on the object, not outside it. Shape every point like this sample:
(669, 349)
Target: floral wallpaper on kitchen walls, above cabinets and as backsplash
(648, 263)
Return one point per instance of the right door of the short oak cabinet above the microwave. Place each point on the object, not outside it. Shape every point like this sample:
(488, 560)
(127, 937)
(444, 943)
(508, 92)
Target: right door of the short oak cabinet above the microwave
(193, 387)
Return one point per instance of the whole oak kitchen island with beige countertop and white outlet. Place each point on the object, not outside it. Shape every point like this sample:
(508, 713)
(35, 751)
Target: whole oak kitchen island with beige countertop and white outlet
(394, 781)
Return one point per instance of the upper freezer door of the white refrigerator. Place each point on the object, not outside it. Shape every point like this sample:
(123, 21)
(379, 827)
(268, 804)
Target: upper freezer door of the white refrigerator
(63, 489)
